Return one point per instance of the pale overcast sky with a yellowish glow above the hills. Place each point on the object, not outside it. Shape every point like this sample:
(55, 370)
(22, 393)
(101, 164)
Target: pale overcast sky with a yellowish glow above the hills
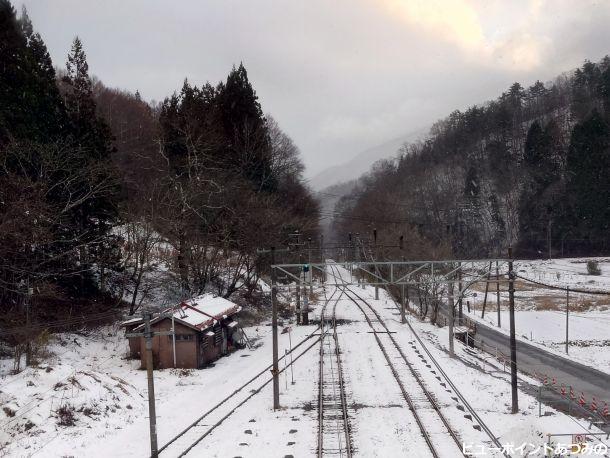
(339, 76)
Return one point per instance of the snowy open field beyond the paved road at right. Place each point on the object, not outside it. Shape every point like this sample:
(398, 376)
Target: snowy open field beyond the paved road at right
(540, 316)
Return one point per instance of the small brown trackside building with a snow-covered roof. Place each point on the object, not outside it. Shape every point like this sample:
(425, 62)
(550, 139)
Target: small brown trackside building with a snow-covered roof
(204, 329)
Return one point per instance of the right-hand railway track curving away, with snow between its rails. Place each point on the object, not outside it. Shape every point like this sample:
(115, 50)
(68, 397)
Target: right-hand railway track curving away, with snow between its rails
(424, 416)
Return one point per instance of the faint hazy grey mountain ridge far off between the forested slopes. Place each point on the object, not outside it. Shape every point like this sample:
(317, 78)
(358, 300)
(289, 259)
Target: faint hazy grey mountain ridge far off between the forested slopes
(362, 162)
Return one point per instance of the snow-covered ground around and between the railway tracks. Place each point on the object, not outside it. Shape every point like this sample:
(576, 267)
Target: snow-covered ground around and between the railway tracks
(107, 395)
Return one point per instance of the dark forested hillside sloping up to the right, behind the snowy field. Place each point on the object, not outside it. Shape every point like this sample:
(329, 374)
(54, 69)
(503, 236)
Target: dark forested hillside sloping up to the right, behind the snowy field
(529, 169)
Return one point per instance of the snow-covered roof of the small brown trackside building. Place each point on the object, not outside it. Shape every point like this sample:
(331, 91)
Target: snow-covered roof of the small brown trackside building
(202, 311)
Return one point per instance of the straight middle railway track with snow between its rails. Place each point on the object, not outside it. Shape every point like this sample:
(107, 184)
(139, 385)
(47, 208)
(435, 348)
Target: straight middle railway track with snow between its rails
(334, 432)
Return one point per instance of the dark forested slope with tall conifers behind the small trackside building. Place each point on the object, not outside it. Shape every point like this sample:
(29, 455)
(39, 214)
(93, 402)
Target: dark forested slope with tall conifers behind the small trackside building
(95, 182)
